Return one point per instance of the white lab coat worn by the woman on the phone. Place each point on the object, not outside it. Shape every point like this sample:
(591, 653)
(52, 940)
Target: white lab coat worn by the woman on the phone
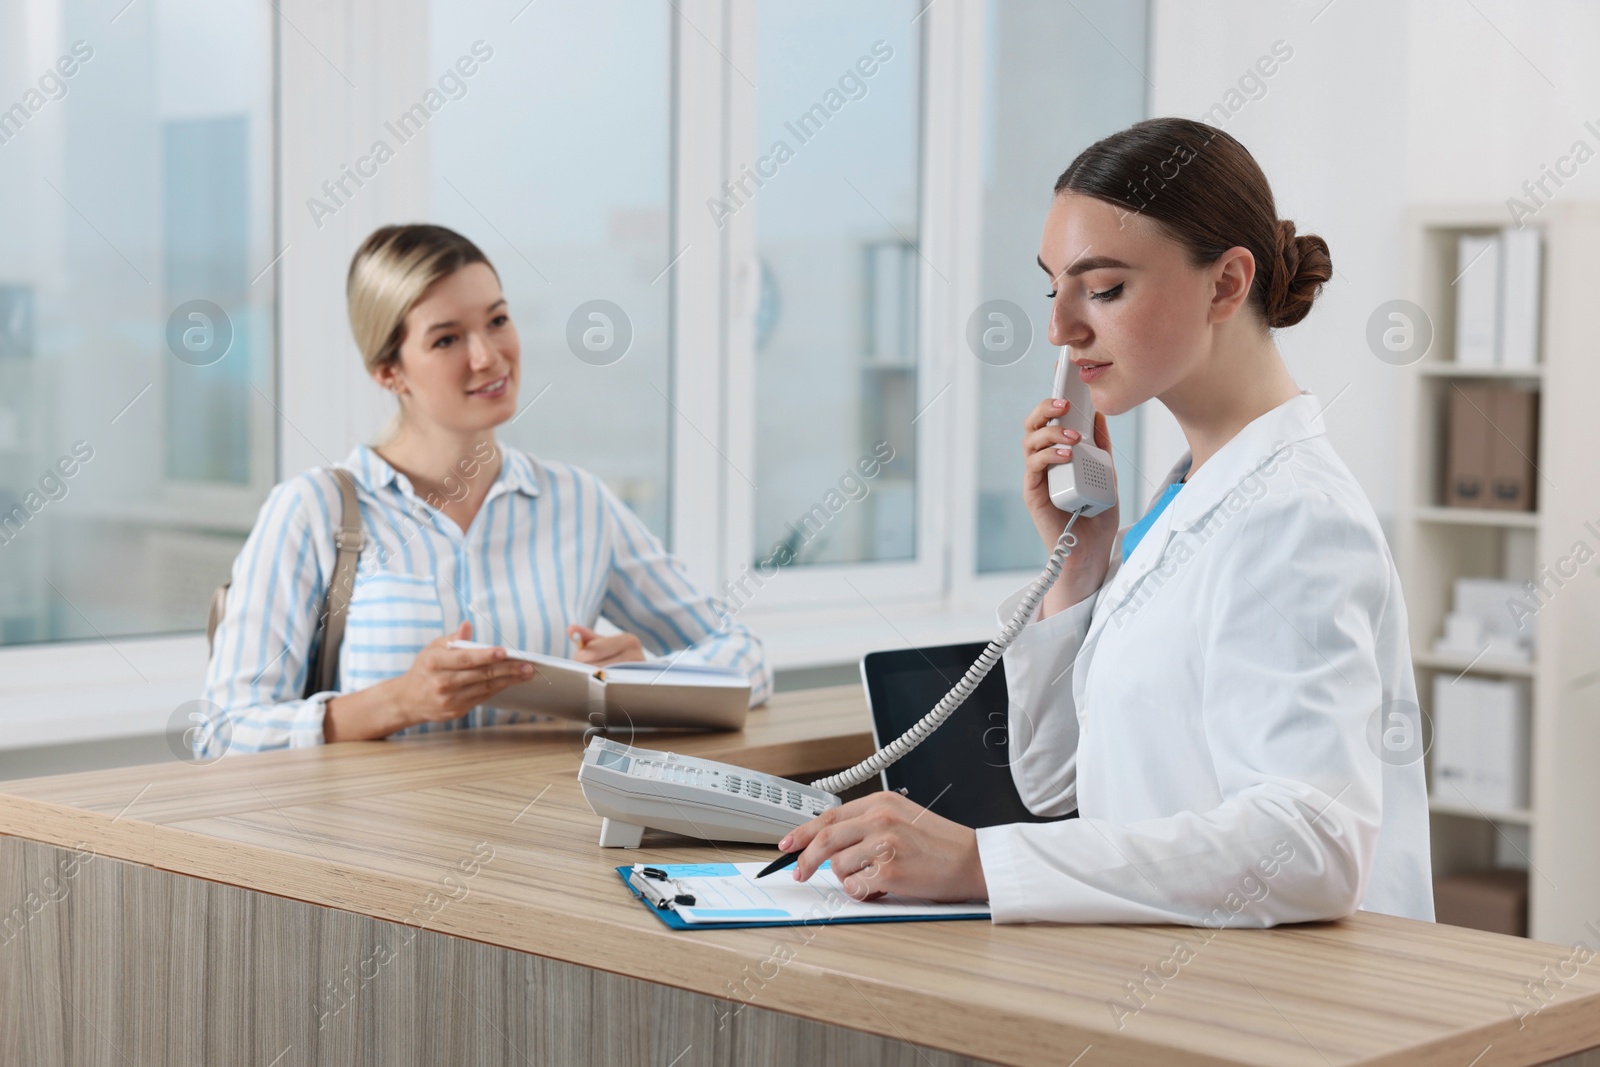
(1209, 711)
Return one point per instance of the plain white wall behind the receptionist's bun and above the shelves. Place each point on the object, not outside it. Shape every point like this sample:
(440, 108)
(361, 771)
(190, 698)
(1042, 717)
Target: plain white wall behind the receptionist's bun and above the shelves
(1382, 105)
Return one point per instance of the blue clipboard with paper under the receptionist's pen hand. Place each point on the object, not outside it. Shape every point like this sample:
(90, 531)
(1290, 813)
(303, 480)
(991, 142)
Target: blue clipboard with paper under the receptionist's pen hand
(727, 897)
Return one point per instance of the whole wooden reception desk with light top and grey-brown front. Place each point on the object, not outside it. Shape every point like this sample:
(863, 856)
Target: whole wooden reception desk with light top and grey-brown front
(444, 901)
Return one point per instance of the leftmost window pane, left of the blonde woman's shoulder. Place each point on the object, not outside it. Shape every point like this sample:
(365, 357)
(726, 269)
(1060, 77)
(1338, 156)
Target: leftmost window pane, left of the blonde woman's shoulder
(137, 342)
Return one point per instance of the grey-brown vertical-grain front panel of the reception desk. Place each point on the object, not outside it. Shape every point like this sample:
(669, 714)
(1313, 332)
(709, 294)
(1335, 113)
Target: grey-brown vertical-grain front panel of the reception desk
(145, 967)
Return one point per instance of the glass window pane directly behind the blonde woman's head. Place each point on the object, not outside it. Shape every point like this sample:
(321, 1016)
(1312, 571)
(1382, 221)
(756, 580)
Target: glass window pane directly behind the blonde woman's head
(554, 159)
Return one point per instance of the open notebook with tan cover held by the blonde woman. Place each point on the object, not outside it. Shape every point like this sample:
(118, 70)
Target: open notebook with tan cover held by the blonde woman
(652, 693)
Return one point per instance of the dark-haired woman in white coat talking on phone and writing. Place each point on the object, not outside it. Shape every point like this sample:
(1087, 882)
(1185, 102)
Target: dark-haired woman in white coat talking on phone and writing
(1210, 687)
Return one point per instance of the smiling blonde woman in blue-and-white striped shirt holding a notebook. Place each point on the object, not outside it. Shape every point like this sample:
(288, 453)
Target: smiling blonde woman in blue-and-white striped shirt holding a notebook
(463, 538)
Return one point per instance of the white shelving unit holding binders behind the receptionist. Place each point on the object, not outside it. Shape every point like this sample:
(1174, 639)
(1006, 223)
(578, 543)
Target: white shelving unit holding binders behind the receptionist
(1559, 836)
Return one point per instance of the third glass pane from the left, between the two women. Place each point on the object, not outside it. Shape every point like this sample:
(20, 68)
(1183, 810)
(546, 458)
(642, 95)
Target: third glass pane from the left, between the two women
(834, 186)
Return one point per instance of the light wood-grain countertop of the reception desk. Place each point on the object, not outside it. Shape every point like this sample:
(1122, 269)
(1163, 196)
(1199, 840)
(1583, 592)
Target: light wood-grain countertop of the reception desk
(484, 836)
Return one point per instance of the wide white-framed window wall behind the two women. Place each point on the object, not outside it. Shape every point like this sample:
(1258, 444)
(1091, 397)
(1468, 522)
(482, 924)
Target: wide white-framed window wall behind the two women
(742, 242)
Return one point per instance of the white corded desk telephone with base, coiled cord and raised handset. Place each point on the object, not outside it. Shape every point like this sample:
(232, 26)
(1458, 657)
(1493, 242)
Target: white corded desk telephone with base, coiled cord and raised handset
(634, 789)
